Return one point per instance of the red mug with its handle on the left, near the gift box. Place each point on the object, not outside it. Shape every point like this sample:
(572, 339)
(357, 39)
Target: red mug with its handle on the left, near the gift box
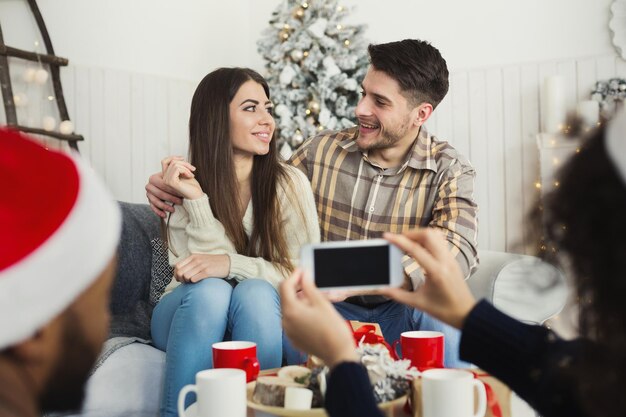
(423, 348)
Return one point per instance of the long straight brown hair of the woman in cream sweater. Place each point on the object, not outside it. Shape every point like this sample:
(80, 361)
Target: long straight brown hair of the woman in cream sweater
(210, 151)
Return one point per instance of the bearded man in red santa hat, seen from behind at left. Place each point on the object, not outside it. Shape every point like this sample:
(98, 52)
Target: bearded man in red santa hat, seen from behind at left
(58, 238)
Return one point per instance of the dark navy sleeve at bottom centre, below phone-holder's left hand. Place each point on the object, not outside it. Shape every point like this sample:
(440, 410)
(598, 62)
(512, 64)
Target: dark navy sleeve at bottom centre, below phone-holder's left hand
(349, 392)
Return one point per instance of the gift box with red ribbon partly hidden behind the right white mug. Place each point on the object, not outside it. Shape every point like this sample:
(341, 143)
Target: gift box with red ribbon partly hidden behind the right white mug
(498, 395)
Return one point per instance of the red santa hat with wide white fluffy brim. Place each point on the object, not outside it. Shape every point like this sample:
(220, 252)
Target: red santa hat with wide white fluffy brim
(59, 228)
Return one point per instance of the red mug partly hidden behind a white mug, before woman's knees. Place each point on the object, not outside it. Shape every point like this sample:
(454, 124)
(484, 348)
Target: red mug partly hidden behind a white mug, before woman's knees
(237, 354)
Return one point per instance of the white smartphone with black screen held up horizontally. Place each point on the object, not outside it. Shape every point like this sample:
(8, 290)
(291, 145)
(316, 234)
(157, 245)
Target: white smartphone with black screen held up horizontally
(353, 264)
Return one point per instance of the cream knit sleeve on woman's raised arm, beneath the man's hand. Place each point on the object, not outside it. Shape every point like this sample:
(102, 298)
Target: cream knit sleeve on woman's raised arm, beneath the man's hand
(194, 229)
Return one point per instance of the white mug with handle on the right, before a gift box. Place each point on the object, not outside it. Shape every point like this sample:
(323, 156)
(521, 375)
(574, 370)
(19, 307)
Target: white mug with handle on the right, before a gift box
(450, 393)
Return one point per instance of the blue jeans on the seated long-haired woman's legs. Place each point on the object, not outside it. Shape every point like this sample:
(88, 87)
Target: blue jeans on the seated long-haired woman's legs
(187, 321)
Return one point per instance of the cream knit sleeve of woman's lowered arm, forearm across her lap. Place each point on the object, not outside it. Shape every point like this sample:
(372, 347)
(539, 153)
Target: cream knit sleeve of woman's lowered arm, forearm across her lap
(300, 226)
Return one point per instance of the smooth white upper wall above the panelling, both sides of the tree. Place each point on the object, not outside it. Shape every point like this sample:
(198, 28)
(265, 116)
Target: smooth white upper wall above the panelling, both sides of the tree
(185, 39)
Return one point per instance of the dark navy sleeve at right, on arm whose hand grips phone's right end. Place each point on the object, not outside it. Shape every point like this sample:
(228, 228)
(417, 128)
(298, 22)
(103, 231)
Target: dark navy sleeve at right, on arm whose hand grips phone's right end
(530, 359)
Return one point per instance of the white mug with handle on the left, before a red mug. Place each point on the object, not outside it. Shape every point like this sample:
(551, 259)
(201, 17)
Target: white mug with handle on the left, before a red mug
(219, 392)
